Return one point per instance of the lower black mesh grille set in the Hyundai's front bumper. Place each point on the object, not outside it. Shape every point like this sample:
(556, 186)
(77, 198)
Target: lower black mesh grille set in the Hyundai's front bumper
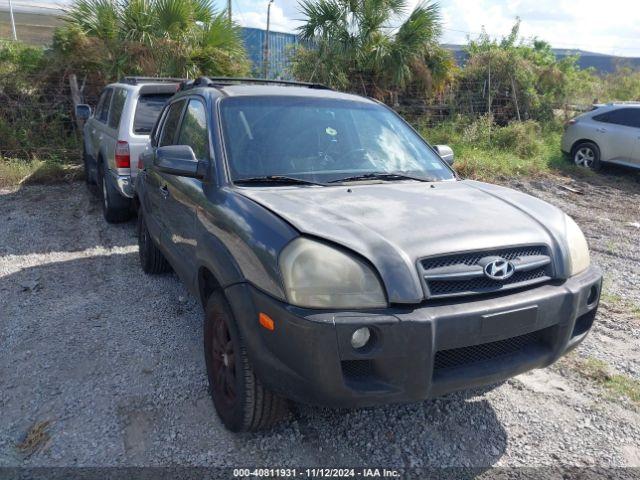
(468, 356)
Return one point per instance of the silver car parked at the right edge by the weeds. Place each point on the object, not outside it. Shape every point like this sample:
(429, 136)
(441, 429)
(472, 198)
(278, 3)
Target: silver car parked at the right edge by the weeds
(607, 134)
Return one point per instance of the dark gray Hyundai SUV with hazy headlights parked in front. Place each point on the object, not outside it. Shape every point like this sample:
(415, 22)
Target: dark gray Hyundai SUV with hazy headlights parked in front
(339, 259)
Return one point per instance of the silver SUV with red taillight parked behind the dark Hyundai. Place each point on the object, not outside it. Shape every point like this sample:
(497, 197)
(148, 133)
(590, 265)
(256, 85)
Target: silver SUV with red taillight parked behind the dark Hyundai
(116, 134)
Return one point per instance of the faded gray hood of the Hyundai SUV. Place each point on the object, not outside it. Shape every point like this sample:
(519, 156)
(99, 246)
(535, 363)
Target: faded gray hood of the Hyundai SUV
(393, 225)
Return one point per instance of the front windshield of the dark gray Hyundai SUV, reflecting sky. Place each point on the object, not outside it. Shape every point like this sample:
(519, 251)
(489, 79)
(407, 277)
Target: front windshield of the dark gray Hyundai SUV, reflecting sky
(322, 140)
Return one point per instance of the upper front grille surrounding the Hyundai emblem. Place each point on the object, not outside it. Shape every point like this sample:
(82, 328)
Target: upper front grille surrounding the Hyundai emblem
(439, 282)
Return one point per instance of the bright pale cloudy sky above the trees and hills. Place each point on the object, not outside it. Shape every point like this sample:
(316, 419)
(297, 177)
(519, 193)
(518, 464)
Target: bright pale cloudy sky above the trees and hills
(611, 26)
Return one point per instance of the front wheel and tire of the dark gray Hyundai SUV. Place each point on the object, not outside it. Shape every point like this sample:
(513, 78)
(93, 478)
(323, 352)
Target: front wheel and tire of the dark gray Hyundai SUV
(241, 401)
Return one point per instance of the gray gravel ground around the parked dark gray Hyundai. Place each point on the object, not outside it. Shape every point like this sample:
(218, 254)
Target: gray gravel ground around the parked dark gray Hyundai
(114, 359)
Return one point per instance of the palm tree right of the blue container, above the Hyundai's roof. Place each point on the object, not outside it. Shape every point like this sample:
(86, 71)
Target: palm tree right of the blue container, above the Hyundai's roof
(361, 45)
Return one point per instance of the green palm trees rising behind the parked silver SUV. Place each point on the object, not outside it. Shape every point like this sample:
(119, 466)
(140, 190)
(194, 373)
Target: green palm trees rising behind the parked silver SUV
(160, 37)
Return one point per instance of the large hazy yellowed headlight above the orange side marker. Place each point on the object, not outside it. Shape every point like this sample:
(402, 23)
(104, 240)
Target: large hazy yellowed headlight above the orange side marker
(319, 276)
